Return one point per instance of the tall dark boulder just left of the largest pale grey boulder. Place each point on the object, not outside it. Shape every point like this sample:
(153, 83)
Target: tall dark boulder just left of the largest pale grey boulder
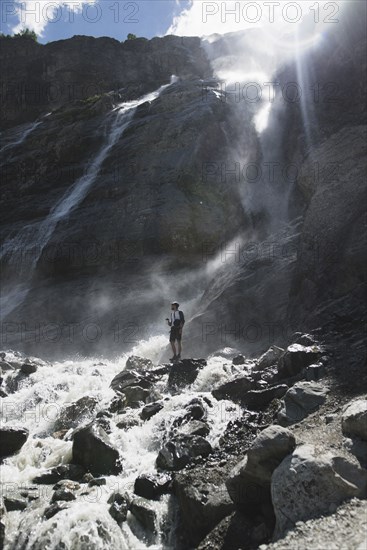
(249, 482)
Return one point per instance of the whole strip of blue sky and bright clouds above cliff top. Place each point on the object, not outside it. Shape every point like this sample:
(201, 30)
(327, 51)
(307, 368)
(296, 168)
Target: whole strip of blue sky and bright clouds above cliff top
(60, 19)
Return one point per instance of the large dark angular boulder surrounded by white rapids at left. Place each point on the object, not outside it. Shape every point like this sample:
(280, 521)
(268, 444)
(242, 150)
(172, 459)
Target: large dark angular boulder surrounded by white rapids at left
(93, 450)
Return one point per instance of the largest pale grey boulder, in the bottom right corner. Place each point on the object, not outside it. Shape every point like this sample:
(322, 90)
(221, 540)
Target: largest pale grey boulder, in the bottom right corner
(308, 484)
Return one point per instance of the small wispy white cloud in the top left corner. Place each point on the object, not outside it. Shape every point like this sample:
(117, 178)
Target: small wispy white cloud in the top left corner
(37, 14)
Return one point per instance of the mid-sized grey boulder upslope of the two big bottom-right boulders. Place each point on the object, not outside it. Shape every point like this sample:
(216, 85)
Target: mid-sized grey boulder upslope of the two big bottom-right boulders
(301, 400)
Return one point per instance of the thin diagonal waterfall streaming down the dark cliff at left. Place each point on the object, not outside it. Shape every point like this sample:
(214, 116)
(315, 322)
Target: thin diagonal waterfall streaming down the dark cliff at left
(29, 243)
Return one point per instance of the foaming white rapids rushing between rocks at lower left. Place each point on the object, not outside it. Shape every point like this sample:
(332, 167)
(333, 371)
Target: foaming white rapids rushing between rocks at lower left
(86, 522)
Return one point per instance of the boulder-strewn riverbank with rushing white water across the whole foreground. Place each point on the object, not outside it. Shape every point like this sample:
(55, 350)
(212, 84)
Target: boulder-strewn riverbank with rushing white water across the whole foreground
(279, 465)
